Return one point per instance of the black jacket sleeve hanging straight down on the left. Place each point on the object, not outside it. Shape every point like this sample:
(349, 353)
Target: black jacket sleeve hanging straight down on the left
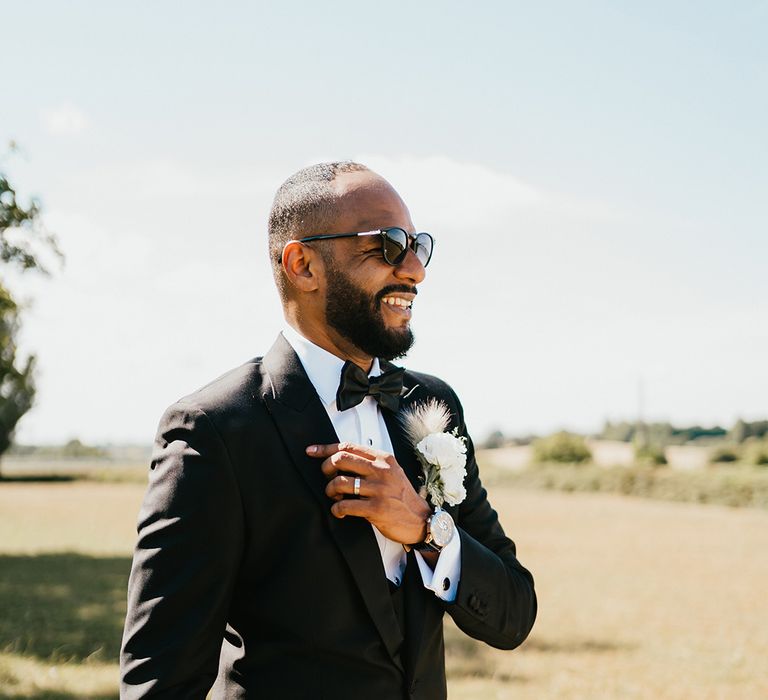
(185, 564)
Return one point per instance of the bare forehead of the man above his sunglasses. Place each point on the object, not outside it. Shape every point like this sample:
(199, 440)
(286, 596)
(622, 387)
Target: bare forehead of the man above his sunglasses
(366, 201)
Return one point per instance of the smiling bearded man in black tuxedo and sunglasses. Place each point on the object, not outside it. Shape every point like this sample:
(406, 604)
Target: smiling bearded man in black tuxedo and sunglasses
(277, 562)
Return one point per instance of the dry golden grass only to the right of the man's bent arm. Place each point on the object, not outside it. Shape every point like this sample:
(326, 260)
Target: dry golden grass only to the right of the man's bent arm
(638, 599)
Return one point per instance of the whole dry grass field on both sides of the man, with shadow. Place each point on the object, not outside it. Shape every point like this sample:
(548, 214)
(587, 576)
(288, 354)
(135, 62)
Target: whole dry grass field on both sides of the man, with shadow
(638, 598)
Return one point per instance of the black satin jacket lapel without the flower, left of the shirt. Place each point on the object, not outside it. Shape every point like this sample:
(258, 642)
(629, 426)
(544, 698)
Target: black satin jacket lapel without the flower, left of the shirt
(302, 420)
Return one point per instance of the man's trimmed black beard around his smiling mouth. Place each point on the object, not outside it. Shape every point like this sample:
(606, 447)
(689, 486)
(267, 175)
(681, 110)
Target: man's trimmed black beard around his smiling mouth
(357, 317)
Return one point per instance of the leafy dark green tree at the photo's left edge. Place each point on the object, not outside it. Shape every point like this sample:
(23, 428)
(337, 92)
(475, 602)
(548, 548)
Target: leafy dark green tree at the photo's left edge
(22, 238)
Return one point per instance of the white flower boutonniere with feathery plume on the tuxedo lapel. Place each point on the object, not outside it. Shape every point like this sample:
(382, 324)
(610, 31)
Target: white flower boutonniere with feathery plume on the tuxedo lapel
(442, 454)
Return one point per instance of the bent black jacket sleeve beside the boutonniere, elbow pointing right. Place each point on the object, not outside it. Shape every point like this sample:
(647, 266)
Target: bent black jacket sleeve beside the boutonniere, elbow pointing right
(495, 602)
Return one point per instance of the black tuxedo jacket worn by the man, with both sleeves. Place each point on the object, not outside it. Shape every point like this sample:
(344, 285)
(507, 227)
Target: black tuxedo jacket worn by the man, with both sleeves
(243, 579)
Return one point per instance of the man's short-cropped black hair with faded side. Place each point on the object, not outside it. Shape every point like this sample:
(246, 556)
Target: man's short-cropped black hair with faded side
(305, 204)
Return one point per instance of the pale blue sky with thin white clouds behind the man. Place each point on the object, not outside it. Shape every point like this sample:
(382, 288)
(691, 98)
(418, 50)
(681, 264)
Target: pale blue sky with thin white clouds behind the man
(594, 174)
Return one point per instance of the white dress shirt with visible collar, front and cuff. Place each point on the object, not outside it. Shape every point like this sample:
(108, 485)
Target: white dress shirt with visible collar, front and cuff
(364, 425)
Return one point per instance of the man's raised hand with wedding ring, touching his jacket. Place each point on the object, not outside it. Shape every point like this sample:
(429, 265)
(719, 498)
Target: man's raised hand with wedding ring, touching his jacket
(387, 499)
